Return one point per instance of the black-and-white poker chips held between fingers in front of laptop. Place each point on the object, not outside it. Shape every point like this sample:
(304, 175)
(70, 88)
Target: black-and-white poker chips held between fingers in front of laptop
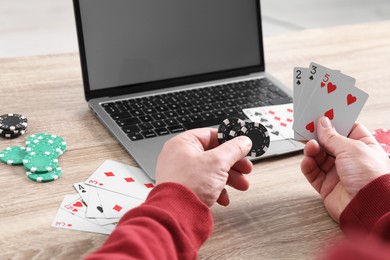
(233, 127)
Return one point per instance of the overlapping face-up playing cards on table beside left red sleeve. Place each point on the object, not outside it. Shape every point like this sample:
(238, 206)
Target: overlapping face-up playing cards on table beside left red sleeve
(112, 190)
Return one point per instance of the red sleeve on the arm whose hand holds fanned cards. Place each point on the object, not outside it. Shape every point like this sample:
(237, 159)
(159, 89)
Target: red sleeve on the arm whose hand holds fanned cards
(366, 222)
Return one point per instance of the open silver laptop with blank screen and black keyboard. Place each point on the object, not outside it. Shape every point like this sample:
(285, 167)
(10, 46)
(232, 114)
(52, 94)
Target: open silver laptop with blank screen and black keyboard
(152, 69)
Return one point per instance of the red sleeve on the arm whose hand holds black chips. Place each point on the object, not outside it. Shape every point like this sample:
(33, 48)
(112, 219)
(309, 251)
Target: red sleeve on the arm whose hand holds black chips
(172, 224)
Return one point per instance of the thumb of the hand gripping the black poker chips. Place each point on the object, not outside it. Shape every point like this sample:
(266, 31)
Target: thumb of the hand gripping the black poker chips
(235, 149)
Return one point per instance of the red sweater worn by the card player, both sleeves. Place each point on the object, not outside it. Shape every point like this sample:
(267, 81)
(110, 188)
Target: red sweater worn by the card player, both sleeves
(173, 223)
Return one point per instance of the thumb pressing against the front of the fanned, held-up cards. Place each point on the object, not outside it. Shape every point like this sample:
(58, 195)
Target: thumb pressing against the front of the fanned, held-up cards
(333, 142)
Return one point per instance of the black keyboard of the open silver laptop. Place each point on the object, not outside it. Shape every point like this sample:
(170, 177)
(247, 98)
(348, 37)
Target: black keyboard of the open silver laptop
(163, 114)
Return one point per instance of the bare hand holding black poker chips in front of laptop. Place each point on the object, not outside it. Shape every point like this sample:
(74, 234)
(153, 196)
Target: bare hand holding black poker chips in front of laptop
(196, 160)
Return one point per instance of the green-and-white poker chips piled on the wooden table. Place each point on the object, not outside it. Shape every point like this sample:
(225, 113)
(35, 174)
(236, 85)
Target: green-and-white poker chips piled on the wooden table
(39, 157)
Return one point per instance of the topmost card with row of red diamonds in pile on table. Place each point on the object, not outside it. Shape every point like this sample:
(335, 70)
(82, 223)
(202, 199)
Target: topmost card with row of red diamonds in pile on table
(121, 178)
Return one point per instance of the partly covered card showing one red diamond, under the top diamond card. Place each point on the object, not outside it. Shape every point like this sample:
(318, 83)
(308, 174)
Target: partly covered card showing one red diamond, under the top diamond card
(116, 205)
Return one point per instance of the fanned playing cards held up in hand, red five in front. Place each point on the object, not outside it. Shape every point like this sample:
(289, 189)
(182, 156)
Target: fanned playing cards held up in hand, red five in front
(331, 94)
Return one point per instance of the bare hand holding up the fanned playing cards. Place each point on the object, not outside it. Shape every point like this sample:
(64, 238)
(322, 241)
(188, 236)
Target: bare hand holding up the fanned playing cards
(342, 166)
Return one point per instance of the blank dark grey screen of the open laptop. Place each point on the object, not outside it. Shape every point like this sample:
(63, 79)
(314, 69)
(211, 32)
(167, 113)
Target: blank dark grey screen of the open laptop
(130, 42)
